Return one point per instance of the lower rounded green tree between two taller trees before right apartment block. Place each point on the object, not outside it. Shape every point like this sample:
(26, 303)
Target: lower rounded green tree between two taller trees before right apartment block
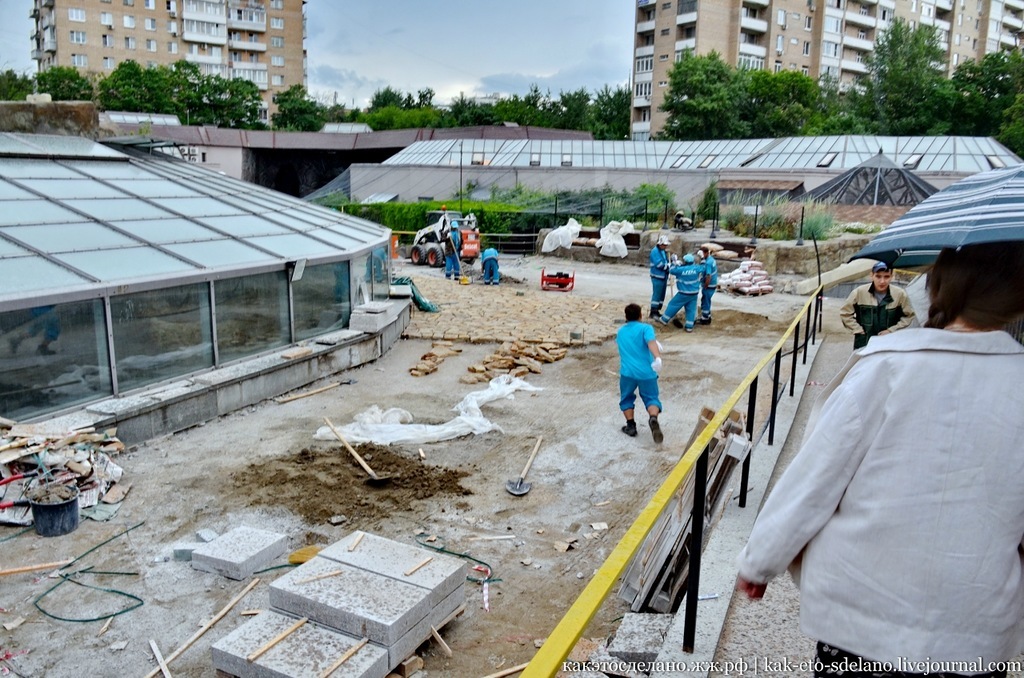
(779, 104)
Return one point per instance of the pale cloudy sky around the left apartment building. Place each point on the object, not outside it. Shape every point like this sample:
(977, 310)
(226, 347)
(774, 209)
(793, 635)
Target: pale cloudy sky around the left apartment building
(475, 48)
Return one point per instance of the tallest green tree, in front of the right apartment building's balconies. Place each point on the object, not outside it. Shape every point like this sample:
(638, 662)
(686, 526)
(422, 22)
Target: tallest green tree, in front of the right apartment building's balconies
(906, 91)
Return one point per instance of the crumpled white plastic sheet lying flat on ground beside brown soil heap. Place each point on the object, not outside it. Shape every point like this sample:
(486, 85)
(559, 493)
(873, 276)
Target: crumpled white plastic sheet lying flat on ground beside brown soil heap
(396, 426)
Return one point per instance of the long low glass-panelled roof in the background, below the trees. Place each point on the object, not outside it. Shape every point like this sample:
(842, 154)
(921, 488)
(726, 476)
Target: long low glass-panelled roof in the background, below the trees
(940, 154)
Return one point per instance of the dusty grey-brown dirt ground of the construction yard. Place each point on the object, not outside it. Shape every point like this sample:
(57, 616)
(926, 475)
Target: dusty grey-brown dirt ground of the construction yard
(262, 468)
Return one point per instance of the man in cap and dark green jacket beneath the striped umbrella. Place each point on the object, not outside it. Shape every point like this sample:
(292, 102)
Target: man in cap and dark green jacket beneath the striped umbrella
(876, 309)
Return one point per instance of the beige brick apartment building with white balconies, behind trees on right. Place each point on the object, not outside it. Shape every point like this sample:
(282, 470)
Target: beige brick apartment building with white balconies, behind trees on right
(816, 37)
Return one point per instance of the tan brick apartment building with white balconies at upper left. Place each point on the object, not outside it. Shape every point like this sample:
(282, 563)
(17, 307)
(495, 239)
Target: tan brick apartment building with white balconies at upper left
(263, 41)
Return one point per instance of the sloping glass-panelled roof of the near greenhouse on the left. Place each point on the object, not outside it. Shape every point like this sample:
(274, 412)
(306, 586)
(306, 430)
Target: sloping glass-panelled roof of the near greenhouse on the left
(75, 214)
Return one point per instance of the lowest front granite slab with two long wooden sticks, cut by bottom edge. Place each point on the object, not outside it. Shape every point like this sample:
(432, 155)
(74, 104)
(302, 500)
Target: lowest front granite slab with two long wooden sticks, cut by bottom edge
(307, 653)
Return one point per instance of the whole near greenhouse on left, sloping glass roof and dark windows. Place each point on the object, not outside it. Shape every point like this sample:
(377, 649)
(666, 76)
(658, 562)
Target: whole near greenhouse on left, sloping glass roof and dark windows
(124, 268)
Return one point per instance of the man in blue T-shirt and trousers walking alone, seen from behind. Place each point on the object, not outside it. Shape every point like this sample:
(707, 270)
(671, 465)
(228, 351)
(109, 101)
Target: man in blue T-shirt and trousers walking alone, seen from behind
(639, 363)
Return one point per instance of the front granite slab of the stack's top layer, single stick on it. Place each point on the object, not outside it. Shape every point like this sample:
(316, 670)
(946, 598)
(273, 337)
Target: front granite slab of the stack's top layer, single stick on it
(357, 602)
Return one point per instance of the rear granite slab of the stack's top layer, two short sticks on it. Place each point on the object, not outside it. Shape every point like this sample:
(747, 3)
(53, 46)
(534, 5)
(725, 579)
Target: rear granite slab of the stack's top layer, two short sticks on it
(442, 576)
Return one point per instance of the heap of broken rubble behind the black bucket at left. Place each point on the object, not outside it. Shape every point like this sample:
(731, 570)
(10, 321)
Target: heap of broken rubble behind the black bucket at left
(34, 456)
